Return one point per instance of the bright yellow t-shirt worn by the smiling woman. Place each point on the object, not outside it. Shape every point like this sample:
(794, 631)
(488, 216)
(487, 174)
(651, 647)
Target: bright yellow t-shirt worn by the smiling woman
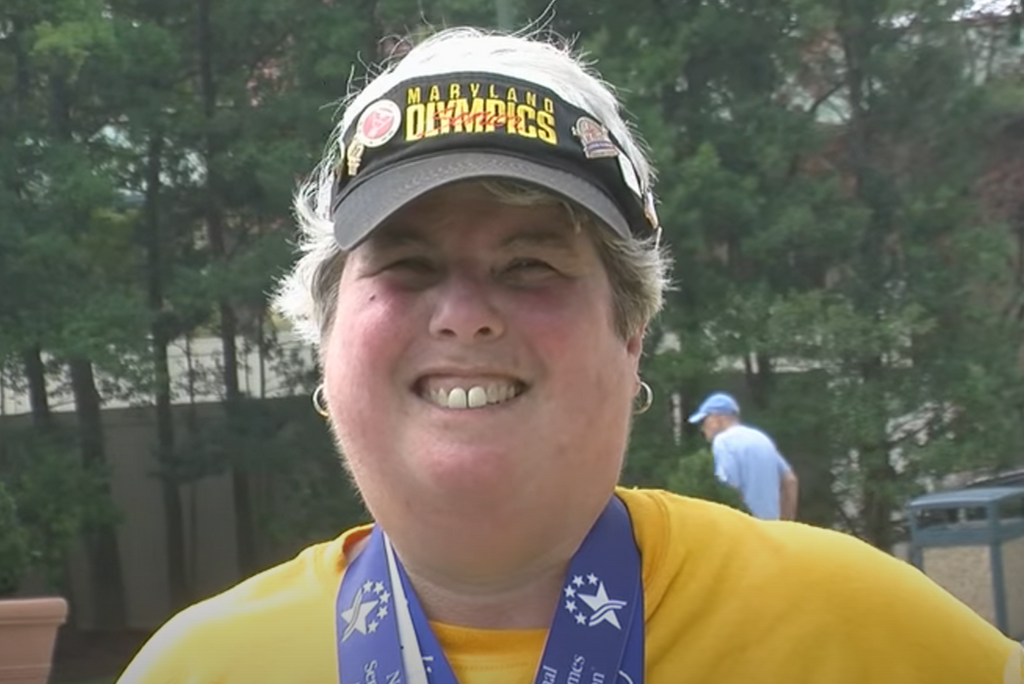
(729, 600)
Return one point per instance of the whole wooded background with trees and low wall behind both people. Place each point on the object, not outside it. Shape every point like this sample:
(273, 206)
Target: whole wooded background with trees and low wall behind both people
(841, 184)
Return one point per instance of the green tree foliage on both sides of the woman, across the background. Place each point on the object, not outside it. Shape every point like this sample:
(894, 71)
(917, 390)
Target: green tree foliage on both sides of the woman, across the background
(831, 263)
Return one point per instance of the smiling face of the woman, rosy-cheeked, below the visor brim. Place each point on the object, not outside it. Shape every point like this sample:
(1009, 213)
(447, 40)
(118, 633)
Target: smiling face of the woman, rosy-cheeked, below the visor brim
(474, 364)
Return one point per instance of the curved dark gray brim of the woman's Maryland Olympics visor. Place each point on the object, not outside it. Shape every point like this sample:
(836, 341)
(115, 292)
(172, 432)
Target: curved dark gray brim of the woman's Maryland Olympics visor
(374, 199)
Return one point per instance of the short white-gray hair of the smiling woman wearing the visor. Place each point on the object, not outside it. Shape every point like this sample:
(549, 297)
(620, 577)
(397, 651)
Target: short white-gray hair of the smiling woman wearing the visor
(638, 270)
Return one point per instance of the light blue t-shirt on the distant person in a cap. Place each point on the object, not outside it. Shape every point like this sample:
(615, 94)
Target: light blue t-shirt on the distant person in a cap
(747, 459)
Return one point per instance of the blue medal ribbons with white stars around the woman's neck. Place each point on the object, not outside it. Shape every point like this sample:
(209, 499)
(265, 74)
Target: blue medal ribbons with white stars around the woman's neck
(596, 636)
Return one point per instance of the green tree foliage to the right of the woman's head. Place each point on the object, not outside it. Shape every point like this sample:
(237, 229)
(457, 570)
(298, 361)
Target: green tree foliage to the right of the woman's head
(842, 242)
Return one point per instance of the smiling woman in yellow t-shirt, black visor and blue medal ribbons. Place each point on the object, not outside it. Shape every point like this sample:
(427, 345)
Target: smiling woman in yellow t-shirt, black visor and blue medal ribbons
(480, 298)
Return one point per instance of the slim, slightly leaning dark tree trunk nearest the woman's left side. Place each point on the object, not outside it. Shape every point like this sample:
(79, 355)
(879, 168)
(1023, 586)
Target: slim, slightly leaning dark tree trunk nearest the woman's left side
(229, 325)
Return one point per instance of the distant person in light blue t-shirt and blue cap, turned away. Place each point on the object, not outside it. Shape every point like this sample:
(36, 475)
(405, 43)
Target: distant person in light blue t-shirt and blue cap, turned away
(748, 460)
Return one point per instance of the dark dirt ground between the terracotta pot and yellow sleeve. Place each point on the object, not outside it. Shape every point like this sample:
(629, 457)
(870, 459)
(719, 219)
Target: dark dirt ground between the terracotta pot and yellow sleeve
(87, 657)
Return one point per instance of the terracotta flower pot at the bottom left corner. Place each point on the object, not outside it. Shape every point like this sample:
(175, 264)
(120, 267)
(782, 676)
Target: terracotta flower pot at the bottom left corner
(28, 633)
